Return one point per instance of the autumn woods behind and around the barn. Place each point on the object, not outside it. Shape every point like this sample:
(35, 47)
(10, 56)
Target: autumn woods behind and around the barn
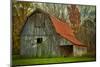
(84, 25)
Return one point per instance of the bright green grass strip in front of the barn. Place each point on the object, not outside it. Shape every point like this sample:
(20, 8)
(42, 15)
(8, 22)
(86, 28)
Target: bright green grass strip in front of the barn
(35, 61)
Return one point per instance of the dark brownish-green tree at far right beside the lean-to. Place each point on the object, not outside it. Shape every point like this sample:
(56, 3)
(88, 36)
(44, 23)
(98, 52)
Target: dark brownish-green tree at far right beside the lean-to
(87, 35)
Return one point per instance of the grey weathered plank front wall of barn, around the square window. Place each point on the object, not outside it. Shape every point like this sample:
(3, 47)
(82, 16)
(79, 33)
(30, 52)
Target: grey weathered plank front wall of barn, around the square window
(32, 31)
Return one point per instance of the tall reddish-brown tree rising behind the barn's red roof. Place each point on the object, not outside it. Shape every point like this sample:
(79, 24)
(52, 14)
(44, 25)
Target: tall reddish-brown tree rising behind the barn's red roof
(74, 17)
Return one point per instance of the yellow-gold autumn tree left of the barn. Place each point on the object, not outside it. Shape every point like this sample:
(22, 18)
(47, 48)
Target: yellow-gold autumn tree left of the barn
(20, 11)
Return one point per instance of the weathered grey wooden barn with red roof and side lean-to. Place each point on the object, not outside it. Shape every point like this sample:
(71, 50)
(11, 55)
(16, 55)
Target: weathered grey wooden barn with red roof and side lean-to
(43, 35)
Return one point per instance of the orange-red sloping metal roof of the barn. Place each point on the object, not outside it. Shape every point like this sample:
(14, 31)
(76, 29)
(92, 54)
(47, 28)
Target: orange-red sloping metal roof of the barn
(65, 31)
